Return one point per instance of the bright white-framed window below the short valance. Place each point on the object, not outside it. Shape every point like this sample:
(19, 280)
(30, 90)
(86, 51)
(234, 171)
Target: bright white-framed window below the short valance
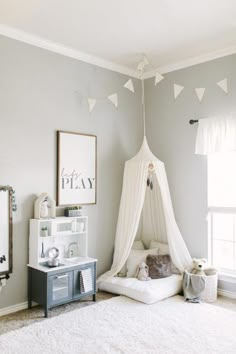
(222, 210)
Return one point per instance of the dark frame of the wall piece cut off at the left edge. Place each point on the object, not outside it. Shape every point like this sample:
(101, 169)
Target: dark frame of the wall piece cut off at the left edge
(9, 190)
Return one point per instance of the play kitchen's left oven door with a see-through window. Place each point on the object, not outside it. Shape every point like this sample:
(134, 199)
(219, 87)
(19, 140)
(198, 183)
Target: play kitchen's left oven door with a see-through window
(60, 288)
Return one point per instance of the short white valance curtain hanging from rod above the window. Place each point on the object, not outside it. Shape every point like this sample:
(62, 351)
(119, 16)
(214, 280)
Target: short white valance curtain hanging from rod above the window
(216, 135)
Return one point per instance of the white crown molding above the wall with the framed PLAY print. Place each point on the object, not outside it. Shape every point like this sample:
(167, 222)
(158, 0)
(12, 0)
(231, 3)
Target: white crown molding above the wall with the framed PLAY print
(55, 47)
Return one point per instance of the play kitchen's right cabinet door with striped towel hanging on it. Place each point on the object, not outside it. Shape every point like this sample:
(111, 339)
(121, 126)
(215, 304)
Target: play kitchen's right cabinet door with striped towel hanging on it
(84, 280)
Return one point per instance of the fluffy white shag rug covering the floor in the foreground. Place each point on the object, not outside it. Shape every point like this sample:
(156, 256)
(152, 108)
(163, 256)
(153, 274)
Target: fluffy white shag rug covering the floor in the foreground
(121, 325)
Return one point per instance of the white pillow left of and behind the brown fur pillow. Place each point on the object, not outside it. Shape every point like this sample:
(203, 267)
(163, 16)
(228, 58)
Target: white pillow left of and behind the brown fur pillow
(135, 258)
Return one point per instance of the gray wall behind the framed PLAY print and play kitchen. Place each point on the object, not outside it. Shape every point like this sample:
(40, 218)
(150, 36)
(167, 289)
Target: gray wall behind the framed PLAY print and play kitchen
(39, 94)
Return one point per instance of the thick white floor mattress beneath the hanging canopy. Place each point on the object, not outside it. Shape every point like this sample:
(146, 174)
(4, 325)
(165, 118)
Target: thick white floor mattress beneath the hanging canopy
(144, 291)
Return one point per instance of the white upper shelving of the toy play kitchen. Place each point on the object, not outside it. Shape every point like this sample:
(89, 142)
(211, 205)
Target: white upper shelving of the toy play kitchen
(62, 231)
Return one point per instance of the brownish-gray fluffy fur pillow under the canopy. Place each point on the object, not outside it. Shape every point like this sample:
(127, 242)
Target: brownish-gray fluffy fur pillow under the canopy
(159, 266)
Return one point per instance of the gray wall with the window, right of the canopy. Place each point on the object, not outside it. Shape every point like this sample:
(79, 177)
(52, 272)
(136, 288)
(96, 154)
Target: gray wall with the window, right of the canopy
(172, 139)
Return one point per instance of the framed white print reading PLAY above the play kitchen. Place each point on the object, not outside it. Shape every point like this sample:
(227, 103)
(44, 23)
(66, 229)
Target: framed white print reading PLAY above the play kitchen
(76, 170)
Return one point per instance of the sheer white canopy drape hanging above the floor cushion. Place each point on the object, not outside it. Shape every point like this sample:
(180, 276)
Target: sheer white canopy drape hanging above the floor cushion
(157, 204)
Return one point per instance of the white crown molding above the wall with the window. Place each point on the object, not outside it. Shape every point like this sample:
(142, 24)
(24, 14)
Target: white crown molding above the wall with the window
(190, 62)
